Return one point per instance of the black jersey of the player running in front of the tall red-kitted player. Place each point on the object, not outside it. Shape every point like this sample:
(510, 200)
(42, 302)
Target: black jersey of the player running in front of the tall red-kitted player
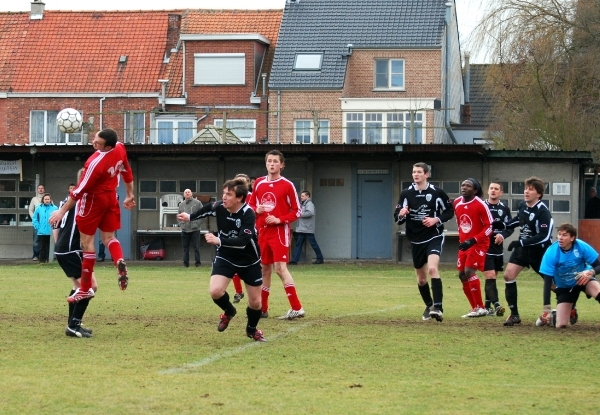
(237, 232)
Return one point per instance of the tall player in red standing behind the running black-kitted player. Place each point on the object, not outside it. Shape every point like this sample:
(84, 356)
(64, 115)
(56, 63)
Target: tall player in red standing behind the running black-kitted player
(275, 201)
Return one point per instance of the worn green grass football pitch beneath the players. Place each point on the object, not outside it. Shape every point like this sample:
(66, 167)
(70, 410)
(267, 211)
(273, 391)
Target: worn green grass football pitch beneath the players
(362, 348)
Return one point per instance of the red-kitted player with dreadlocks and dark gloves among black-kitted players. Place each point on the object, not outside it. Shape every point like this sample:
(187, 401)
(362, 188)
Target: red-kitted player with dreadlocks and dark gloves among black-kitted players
(474, 229)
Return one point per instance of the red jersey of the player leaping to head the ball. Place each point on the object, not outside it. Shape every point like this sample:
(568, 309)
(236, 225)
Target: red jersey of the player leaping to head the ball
(102, 172)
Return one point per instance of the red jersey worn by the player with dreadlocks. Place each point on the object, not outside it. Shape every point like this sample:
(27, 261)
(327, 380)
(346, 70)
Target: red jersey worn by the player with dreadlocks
(474, 220)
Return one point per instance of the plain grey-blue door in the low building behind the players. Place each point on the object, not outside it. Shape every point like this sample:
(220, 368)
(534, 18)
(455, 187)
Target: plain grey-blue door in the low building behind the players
(374, 236)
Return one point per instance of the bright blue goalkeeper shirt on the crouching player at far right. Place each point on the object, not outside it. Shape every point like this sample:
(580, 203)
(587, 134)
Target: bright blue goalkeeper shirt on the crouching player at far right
(564, 266)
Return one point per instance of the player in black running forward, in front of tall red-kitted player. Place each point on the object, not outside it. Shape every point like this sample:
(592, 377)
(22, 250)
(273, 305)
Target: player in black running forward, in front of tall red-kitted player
(237, 253)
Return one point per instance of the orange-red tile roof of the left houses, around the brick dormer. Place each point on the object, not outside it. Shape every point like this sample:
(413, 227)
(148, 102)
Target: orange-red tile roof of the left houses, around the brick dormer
(78, 52)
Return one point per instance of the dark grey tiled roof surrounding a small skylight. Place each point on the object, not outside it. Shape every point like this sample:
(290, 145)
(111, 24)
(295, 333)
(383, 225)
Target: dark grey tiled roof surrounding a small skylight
(328, 26)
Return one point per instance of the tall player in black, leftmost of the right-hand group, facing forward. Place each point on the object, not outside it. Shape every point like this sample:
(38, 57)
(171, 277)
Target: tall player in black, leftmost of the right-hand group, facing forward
(425, 208)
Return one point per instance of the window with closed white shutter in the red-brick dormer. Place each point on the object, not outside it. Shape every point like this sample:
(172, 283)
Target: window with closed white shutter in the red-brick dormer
(219, 68)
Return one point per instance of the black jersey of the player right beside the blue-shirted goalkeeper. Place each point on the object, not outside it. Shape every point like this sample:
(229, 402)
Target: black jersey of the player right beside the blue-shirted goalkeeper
(535, 223)
